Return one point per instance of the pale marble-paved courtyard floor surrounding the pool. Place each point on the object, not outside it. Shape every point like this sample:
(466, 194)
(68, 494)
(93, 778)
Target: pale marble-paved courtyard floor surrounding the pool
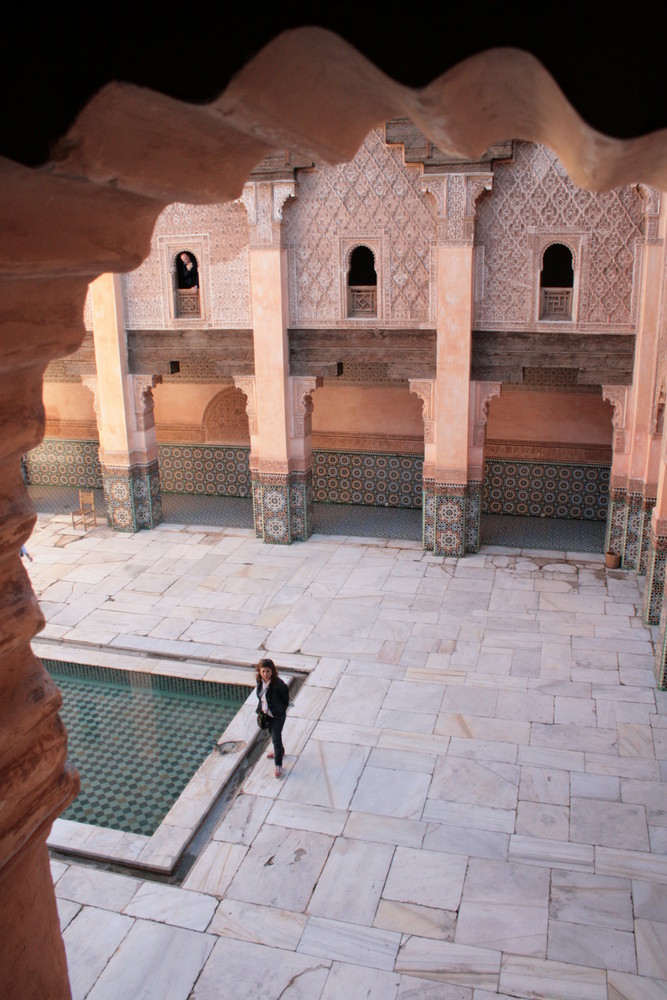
(473, 803)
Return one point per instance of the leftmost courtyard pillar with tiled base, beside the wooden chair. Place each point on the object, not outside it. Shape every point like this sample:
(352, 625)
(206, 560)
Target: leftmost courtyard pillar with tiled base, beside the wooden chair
(124, 408)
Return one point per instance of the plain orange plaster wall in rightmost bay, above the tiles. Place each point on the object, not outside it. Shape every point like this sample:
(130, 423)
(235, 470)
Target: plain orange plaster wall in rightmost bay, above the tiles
(573, 418)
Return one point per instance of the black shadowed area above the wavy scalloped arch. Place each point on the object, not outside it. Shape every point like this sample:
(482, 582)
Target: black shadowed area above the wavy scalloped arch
(611, 68)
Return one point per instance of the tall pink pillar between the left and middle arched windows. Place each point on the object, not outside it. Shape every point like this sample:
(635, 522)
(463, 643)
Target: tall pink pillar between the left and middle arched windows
(281, 459)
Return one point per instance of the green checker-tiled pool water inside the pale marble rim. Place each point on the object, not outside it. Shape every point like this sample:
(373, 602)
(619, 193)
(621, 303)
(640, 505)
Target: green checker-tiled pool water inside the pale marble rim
(137, 739)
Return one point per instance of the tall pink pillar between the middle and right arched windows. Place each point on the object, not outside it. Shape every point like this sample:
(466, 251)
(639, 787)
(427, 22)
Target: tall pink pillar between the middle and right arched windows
(446, 474)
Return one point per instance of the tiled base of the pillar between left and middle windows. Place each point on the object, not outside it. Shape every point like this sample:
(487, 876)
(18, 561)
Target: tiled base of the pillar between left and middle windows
(283, 507)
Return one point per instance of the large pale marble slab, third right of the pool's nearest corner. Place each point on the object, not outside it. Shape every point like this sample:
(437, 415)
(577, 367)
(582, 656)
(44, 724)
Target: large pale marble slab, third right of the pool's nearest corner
(351, 882)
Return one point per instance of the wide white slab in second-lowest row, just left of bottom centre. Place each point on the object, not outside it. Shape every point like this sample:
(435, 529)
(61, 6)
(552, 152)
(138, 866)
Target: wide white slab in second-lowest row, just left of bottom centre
(345, 942)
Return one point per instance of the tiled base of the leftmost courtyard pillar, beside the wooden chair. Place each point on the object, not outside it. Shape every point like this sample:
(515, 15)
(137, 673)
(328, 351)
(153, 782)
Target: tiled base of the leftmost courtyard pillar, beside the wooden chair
(132, 496)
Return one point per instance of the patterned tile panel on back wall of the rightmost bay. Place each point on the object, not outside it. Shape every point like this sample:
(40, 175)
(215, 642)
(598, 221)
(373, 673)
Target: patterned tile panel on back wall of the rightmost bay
(546, 489)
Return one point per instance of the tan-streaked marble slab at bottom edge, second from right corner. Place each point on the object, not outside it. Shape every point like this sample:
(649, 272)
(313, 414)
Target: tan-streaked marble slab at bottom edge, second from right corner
(523, 976)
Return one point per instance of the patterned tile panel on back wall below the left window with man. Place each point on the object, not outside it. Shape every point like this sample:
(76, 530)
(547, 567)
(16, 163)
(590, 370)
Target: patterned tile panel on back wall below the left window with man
(215, 470)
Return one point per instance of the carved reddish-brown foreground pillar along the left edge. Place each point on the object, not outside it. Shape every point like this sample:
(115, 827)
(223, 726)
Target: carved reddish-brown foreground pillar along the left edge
(40, 319)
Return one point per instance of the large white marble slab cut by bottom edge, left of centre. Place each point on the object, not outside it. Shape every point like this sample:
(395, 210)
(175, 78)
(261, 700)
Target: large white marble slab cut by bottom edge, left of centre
(243, 970)
